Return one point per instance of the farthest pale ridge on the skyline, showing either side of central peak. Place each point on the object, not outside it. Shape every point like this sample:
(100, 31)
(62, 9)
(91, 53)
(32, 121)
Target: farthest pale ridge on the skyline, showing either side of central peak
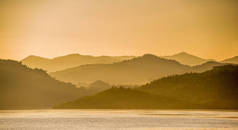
(75, 60)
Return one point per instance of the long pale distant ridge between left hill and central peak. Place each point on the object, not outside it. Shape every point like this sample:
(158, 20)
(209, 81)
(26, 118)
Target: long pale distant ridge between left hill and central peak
(69, 61)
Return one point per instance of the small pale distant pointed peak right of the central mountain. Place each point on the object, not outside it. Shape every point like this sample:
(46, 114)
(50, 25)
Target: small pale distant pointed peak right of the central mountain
(187, 59)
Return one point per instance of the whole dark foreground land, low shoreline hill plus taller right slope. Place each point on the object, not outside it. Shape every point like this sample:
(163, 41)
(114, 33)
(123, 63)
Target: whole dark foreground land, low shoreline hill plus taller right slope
(214, 89)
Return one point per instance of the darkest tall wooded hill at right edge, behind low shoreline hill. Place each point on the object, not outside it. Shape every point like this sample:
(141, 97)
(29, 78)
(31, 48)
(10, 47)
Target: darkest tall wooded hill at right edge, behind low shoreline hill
(217, 88)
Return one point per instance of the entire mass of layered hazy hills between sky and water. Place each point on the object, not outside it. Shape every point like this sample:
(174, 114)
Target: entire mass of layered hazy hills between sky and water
(169, 83)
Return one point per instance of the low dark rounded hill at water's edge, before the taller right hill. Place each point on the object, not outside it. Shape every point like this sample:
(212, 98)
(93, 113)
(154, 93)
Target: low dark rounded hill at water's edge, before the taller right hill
(121, 98)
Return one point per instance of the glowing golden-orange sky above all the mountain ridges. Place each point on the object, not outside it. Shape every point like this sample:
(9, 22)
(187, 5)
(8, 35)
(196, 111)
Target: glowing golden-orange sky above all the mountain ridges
(50, 28)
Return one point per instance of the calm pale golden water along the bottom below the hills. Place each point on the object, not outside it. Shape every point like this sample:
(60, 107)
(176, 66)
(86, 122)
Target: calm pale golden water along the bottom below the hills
(117, 119)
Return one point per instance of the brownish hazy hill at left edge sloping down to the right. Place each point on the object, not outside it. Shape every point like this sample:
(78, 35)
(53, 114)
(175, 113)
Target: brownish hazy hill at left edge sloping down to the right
(23, 88)
